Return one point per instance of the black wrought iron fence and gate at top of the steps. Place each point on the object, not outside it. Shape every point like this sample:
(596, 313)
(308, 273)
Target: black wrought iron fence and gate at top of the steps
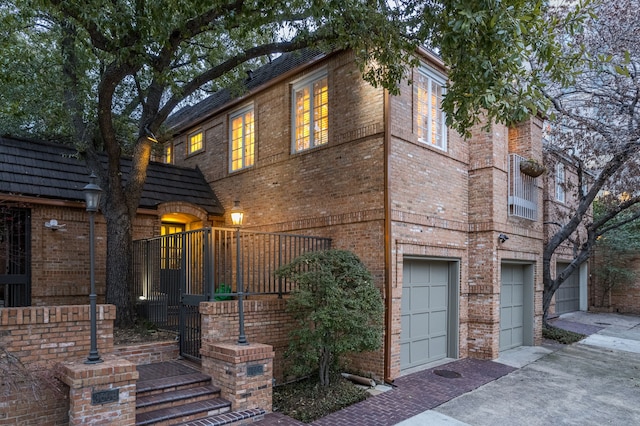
(174, 273)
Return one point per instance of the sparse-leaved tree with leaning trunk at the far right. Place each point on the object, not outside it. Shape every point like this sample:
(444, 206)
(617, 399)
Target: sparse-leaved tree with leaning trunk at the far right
(595, 125)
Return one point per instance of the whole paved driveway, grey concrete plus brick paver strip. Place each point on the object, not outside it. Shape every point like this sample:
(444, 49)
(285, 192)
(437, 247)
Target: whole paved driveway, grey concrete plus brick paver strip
(593, 382)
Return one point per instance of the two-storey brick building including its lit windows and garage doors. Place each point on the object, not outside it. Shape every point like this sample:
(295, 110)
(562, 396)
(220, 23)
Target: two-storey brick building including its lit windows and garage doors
(450, 228)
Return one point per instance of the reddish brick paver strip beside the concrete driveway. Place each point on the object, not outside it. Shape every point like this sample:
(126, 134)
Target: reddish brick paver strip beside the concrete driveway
(411, 395)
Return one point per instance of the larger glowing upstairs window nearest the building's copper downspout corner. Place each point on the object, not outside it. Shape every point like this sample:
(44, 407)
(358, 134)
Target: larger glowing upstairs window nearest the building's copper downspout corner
(310, 112)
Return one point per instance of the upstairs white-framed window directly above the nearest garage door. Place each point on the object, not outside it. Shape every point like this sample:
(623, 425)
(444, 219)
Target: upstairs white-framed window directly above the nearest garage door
(430, 119)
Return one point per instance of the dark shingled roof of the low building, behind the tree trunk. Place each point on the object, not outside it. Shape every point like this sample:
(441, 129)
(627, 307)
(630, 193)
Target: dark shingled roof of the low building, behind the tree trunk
(40, 169)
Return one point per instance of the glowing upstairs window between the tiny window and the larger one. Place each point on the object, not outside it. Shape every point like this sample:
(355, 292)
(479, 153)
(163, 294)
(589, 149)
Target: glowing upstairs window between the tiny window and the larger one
(242, 138)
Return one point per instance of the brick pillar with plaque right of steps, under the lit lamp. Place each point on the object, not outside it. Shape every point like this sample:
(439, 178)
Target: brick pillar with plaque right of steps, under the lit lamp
(243, 373)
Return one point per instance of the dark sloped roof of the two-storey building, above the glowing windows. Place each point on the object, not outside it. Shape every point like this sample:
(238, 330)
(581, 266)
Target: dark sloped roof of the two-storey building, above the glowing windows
(192, 114)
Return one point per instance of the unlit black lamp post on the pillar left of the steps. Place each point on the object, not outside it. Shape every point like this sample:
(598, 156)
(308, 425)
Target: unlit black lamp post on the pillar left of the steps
(92, 194)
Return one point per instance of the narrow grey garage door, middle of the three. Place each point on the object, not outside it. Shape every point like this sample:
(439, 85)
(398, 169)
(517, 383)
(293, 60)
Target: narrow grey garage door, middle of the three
(511, 306)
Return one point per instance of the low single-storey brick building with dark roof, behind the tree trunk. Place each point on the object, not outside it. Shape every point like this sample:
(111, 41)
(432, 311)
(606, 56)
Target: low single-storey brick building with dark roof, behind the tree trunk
(44, 230)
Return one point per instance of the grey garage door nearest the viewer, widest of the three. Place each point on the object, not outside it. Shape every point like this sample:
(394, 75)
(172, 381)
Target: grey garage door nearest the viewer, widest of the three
(424, 312)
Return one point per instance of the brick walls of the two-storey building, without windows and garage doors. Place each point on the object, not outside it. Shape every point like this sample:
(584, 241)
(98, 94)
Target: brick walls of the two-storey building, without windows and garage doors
(377, 190)
